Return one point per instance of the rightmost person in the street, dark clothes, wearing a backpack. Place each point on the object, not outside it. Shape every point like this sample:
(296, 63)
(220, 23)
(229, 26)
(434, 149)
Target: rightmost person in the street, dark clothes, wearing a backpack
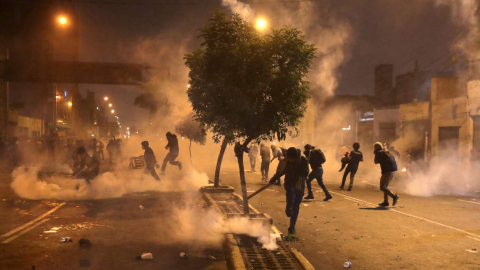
(389, 166)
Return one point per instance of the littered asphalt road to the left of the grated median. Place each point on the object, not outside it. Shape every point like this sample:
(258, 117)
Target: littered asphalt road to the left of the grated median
(117, 228)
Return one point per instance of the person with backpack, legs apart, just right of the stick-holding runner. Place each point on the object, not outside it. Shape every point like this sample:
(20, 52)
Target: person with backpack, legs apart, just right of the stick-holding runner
(316, 158)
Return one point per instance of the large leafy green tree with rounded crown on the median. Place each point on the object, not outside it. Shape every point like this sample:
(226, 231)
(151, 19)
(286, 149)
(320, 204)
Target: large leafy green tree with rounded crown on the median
(247, 86)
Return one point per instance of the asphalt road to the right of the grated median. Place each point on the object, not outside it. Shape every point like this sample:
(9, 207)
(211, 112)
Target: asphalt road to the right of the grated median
(419, 233)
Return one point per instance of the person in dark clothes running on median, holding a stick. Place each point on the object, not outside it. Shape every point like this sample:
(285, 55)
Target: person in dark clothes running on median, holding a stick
(295, 171)
